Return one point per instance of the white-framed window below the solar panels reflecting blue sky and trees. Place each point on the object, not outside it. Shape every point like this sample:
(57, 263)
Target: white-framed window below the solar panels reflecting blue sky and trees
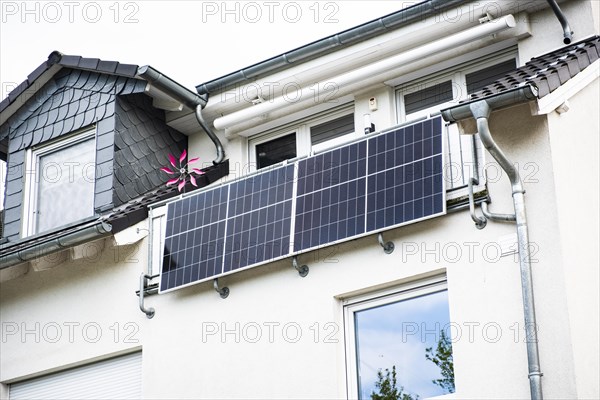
(398, 335)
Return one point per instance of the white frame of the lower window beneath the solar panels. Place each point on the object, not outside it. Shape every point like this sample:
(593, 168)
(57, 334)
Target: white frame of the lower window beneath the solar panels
(352, 305)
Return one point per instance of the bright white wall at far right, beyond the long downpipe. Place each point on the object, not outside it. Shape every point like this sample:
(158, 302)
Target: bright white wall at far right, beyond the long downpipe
(574, 143)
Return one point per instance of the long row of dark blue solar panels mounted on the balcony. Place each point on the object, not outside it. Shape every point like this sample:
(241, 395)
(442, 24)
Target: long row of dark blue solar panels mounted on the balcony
(378, 183)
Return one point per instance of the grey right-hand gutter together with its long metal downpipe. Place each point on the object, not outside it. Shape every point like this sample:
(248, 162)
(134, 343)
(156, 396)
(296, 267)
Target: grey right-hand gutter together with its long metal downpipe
(481, 110)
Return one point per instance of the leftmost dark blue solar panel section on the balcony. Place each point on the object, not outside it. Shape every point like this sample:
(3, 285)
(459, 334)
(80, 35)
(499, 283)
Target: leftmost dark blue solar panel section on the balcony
(194, 238)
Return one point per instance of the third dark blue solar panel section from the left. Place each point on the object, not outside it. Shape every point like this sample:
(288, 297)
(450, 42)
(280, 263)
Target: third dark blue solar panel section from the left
(330, 200)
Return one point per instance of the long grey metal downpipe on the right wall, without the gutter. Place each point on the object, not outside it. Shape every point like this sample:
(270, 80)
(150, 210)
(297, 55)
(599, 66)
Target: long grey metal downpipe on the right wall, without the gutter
(481, 112)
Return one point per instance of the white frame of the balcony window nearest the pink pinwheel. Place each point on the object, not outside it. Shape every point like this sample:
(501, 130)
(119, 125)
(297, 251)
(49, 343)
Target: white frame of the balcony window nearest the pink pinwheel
(302, 127)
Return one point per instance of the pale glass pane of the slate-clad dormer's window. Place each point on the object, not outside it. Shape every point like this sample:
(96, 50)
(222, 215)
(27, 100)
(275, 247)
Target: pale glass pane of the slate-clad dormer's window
(65, 191)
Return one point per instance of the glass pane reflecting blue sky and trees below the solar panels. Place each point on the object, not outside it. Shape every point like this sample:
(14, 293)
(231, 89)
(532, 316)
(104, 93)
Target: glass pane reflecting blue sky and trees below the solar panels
(400, 341)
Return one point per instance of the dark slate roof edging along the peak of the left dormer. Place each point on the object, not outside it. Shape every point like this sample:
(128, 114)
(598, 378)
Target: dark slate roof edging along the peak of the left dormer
(60, 60)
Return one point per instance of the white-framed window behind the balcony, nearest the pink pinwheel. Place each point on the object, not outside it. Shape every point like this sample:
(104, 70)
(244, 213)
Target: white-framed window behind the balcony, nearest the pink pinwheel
(303, 137)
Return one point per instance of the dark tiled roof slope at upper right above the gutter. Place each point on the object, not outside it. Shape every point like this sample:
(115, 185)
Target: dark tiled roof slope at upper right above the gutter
(547, 72)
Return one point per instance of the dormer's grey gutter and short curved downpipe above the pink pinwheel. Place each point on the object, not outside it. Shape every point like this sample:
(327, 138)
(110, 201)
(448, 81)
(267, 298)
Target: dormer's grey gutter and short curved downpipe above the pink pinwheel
(187, 97)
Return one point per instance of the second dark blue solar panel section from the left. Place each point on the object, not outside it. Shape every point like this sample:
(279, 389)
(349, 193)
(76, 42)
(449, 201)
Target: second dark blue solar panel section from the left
(259, 222)
